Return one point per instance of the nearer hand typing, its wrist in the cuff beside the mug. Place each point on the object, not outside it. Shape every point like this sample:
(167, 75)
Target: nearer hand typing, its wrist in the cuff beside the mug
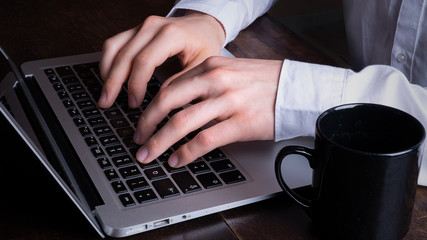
(239, 94)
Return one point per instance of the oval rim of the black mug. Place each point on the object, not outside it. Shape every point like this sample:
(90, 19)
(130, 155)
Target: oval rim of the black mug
(386, 154)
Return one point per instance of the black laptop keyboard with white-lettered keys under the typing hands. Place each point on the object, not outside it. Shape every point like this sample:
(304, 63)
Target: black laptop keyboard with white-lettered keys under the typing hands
(108, 133)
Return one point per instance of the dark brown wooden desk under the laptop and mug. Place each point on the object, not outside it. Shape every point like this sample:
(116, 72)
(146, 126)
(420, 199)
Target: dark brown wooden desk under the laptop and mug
(34, 207)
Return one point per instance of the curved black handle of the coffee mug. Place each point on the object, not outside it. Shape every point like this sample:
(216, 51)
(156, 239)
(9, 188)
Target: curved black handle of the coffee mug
(299, 150)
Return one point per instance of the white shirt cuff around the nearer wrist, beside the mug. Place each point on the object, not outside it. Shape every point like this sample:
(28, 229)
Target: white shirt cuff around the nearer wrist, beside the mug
(305, 91)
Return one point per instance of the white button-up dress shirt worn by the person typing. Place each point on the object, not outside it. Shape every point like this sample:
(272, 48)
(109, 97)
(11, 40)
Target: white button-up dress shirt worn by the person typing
(387, 41)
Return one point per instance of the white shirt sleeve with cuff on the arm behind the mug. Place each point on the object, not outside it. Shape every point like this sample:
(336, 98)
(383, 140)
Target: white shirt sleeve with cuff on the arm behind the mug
(306, 90)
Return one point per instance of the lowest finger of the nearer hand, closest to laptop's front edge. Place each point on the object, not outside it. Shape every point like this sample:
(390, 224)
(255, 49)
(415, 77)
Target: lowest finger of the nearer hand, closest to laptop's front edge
(220, 134)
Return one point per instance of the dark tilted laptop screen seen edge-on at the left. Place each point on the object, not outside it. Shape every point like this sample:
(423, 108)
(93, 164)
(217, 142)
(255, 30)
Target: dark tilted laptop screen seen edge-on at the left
(24, 110)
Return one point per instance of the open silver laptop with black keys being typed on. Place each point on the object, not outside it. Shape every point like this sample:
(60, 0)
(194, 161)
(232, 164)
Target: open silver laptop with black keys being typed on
(51, 104)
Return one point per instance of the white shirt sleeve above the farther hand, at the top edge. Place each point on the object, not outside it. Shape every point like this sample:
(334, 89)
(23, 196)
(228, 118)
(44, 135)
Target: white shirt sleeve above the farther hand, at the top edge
(233, 15)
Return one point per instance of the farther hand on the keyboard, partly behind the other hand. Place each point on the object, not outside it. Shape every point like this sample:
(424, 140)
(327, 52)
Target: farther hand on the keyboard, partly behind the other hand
(135, 53)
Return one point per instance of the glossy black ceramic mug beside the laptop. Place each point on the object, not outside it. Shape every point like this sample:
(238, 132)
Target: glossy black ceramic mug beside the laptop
(365, 165)
